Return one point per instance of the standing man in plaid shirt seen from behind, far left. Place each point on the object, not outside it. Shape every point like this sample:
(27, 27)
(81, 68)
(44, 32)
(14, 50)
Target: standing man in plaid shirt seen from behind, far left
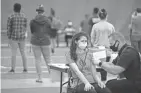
(16, 32)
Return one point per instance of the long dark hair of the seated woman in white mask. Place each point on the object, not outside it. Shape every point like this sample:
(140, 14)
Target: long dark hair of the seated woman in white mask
(73, 46)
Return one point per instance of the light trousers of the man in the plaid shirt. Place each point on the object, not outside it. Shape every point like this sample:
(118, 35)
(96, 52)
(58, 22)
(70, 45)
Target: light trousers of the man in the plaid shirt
(14, 46)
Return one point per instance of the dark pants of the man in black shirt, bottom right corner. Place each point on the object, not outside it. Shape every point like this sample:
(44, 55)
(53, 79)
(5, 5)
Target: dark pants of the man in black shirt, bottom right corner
(122, 86)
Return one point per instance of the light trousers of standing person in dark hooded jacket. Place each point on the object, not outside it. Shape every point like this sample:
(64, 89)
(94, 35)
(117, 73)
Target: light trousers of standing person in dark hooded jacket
(46, 52)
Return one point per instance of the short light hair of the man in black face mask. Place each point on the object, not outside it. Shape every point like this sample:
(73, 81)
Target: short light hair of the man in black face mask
(117, 36)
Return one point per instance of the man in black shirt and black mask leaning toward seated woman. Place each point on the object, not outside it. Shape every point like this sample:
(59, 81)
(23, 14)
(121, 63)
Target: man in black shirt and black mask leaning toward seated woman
(126, 63)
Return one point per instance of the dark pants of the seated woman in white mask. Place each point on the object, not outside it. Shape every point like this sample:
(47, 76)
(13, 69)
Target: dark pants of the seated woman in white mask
(80, 89)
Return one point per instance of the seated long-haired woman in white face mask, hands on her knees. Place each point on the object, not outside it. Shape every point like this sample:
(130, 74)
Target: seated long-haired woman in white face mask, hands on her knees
(79, 59)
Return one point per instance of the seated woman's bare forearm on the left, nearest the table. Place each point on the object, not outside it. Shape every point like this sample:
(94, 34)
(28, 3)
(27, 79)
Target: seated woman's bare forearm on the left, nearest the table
(74, 67)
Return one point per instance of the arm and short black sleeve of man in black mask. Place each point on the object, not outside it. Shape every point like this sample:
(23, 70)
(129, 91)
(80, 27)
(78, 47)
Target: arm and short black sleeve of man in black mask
(122, 63)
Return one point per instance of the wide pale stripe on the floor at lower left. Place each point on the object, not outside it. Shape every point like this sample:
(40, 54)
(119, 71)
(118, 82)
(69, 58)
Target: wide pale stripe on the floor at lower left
(28, 83)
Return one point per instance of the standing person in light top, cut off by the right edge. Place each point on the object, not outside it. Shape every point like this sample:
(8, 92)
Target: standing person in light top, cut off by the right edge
(135, 30)
